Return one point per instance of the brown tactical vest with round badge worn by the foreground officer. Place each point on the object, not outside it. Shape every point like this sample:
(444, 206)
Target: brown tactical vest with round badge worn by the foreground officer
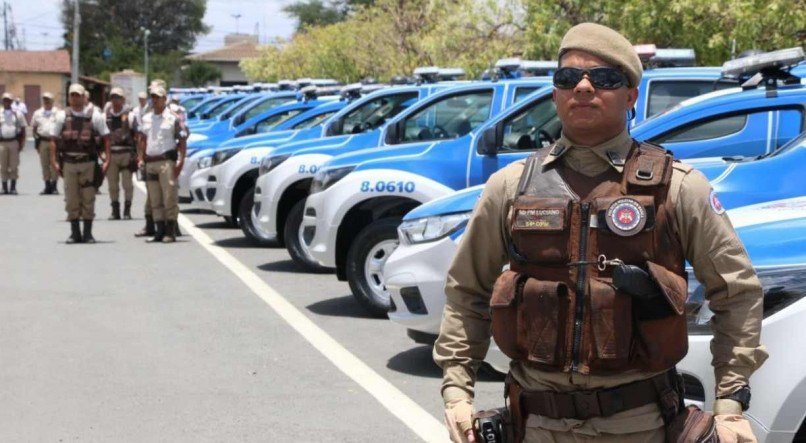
(556, 308)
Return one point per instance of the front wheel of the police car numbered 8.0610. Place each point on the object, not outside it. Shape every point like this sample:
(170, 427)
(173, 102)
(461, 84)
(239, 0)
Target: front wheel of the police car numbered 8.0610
(364, 268)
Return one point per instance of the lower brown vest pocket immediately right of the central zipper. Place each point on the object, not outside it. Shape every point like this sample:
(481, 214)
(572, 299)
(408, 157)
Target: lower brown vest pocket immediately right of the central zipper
(611, 325)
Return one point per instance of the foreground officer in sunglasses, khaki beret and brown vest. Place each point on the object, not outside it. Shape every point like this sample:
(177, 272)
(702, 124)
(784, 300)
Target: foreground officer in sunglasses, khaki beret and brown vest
(590, 358)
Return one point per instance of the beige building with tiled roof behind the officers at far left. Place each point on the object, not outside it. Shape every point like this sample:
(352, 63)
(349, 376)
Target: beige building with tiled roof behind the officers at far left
(27, 74)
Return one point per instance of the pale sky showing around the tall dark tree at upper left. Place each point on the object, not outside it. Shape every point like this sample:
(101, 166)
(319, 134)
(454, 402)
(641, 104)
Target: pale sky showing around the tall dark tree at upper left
(39, 20)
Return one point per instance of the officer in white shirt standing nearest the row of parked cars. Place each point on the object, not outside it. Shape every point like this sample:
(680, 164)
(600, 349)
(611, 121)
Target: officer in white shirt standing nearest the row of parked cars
(162, 149)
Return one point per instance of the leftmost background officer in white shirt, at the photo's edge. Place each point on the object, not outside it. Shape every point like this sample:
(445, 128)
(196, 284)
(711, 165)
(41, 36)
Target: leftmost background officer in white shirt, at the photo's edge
(12, 140)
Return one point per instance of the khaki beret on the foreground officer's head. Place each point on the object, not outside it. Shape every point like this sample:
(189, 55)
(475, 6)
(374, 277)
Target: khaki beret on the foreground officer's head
(606, 44)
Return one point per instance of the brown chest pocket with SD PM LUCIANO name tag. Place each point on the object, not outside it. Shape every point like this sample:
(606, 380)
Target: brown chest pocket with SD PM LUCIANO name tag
(539, 229)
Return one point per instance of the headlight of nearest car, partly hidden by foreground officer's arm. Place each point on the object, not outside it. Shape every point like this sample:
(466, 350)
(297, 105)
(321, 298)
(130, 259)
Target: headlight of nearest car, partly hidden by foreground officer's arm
(782, 286)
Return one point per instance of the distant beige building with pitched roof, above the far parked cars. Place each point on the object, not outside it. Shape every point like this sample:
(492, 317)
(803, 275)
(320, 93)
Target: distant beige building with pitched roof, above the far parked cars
(236, 48)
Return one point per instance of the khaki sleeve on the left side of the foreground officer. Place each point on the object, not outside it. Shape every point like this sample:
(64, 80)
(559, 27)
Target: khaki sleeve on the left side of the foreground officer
(465, 330)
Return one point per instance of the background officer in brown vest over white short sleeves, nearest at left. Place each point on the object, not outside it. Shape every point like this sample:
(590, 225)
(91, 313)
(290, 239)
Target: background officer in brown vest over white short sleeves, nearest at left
(77, 150)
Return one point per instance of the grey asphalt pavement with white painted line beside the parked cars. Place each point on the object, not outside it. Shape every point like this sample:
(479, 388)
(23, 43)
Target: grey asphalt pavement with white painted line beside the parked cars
(207, 339)
